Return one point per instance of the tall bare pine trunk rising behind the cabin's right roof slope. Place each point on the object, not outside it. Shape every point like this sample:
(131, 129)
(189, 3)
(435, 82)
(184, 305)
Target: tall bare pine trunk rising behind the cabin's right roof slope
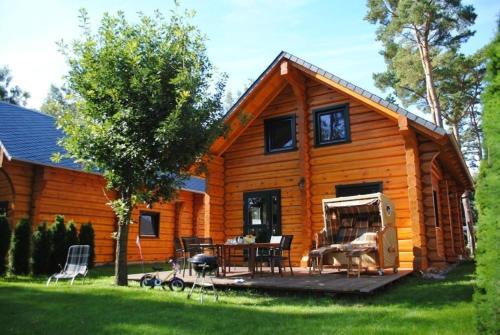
(432, 98)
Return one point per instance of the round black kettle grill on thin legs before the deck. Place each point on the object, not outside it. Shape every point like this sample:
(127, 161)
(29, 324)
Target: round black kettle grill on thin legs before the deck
(203, 265)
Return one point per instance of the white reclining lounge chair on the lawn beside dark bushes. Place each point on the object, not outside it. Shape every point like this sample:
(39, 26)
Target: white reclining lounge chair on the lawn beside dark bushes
(76, 264)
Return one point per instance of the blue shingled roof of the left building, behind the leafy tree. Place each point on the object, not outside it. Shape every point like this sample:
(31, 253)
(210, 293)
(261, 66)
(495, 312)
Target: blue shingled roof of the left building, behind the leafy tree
(31, 136)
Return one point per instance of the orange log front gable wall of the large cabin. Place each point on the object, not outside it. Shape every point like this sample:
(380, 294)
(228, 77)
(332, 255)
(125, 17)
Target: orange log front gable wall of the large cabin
(376, 153)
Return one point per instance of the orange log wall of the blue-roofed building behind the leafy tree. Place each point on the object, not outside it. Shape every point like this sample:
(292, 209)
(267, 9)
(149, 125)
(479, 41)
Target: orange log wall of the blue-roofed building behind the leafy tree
(43, 192)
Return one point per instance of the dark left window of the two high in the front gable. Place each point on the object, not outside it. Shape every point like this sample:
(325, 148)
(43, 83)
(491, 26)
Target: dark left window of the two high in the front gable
(280, 134)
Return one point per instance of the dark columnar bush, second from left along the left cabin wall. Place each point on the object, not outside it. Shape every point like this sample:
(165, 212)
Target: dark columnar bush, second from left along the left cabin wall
(20, 247)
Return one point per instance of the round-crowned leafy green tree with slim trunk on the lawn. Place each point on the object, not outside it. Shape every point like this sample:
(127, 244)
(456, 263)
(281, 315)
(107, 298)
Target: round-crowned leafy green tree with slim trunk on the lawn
(148, 109)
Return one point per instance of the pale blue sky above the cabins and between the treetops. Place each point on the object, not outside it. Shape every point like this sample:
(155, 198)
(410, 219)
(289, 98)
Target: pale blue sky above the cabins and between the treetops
(243, 36)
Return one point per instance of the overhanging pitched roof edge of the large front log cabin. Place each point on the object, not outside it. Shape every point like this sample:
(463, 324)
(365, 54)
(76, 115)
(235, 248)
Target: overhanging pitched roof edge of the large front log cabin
(420, 124)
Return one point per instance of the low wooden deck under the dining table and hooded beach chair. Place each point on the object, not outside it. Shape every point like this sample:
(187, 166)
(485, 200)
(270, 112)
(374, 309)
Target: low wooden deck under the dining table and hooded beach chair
(329, 282)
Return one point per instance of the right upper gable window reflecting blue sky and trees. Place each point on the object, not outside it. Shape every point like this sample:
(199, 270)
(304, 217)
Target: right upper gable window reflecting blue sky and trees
(332, 125)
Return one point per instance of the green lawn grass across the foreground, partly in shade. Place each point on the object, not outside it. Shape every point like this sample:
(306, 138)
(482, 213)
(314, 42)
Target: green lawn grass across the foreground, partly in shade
(412, 306)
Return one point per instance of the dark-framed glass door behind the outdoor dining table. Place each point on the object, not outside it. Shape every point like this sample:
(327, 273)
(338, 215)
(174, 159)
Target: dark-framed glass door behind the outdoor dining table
(262, 214)
